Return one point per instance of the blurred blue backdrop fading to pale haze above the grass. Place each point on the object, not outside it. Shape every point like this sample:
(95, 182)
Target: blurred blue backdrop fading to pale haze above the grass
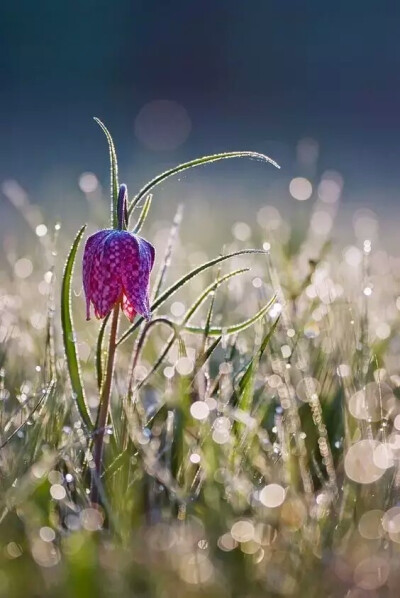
(315, 85)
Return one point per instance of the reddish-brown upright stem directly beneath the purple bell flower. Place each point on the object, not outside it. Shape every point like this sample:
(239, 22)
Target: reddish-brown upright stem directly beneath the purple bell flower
(104, 407)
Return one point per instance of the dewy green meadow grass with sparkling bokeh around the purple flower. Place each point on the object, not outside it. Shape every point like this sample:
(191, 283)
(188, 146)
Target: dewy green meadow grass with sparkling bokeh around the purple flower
(253, 442)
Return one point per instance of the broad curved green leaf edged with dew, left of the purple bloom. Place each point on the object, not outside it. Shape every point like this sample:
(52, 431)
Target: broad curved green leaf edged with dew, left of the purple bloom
(68, 332)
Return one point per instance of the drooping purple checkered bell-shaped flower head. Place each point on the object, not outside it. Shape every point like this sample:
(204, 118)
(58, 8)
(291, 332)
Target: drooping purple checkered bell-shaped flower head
(116, 269)
